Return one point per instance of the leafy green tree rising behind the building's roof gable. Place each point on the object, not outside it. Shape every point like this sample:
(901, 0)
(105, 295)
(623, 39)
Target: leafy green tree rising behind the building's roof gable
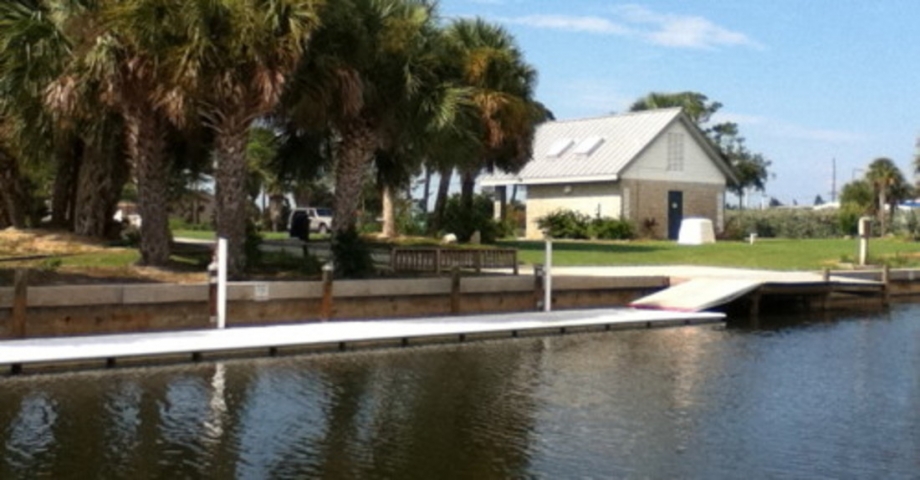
(752, 169)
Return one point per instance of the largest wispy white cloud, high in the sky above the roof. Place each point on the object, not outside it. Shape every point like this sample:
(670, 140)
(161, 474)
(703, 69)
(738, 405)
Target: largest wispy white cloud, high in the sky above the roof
(634, 21)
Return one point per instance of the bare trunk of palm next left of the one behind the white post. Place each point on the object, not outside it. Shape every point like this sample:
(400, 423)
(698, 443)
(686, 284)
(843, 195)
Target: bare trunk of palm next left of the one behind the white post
(146, 142)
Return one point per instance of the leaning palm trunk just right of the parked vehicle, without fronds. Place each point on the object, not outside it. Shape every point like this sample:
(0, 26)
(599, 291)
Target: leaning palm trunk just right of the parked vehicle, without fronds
(355, 151)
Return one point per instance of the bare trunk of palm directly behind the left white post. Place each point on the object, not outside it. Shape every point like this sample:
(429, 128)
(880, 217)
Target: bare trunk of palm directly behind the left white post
(231, 197)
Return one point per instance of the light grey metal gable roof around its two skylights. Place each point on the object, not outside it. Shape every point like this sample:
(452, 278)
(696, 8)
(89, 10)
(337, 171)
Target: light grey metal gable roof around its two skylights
(624, 137)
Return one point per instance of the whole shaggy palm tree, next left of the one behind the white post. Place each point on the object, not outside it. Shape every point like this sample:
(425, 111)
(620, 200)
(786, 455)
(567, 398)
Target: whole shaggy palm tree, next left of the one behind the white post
(122, 63)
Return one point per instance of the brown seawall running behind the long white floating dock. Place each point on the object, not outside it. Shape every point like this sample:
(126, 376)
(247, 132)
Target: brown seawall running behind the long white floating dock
(98, 309)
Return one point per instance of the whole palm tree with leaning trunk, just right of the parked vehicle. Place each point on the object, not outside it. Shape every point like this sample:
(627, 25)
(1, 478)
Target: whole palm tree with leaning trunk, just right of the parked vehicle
(360, 80)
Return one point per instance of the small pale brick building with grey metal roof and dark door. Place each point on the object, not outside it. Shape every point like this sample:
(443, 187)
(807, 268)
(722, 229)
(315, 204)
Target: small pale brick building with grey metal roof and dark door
(652, 167)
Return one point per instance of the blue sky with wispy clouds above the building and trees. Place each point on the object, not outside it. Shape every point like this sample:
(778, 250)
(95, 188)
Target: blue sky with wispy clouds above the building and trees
(807, 81)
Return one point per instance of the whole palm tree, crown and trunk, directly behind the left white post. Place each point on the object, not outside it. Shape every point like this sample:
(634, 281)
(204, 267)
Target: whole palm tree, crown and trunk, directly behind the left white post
(232, 60)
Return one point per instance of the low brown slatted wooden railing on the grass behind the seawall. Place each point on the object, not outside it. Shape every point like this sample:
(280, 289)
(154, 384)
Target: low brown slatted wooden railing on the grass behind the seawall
(437, 260)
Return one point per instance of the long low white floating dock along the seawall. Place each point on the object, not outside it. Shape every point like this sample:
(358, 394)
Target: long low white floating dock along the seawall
(110, 350)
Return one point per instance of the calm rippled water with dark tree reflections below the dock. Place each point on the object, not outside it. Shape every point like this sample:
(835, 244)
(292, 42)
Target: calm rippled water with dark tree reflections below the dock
(829, 399)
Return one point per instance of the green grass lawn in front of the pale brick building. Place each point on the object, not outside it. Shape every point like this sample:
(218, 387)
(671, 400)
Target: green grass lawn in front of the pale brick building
(776, 254)
